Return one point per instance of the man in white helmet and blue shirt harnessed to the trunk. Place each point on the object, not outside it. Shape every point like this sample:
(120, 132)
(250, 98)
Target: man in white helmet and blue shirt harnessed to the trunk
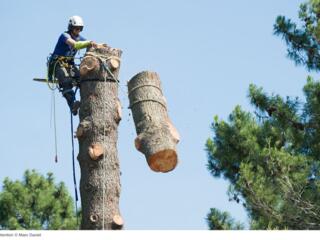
(61, 63)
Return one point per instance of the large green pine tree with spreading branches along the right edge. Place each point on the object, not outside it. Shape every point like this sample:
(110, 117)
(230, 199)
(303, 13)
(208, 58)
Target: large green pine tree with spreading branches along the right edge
(271, 156)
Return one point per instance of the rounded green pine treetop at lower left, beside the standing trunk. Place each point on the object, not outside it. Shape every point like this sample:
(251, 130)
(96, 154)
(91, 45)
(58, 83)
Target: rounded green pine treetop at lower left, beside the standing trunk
(36, 203)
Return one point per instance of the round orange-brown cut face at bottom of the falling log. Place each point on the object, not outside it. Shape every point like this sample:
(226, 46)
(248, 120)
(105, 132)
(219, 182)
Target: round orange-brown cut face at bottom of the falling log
(163, 161)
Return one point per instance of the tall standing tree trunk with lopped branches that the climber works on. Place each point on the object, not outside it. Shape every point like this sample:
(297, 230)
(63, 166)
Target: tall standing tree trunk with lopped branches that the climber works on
(97, 135)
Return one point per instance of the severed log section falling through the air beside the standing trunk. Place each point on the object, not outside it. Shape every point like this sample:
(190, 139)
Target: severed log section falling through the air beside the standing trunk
(157, 137)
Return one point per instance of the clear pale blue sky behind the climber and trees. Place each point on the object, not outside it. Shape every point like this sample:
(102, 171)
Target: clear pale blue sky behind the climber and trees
(206, 53)
